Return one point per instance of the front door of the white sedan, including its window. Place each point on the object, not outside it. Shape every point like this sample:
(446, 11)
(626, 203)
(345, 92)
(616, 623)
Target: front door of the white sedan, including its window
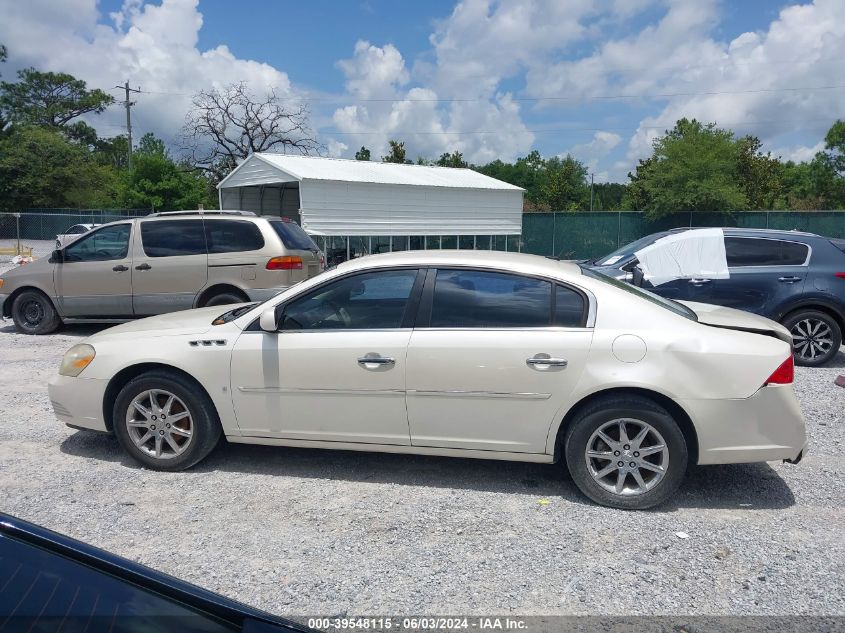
(335, 370)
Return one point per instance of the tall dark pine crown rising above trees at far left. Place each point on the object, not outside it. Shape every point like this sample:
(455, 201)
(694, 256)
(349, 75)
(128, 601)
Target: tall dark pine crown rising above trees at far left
(51, 100)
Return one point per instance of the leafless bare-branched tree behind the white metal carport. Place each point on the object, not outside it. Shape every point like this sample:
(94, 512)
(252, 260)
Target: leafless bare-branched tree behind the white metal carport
(224, 126)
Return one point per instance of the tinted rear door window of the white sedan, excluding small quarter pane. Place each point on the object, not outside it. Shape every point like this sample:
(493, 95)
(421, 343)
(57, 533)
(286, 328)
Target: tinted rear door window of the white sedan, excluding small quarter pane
(481, 299)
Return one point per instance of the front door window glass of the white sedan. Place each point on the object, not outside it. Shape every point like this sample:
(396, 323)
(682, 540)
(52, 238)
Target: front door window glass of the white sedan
(369, 301)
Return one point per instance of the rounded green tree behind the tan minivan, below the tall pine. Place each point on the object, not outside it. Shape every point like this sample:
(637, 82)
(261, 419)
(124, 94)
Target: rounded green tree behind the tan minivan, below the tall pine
(40, 167)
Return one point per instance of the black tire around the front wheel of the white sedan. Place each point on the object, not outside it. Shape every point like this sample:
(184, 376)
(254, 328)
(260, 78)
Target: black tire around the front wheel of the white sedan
(205, 424)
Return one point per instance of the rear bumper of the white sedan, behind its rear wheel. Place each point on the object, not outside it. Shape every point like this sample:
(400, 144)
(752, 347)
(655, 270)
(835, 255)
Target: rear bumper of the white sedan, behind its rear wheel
(768, 426)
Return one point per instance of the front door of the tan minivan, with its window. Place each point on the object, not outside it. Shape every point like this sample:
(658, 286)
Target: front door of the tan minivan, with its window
(94, 278)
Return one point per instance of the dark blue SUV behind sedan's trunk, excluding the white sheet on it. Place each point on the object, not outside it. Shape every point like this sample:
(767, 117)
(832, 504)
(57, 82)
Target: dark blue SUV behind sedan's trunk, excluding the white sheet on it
(795, 278)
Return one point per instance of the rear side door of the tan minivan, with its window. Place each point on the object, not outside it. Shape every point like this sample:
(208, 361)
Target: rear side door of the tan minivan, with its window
(169, 265)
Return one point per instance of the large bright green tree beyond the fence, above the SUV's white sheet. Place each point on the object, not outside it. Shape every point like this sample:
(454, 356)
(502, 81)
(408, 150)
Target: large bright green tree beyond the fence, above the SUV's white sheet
(694, 167)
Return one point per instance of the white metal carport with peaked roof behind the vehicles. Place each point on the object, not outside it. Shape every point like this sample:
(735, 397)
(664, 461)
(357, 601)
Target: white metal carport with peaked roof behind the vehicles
(351, 197)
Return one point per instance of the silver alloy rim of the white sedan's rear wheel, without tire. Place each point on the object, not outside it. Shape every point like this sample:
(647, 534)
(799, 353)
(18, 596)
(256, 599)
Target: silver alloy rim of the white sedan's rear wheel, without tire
(627, 457)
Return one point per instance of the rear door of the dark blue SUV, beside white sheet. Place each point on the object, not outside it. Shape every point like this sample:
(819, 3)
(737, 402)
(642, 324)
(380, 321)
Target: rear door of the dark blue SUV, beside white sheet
(764, 273)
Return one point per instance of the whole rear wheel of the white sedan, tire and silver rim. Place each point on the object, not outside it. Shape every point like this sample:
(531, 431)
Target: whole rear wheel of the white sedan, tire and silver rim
(626, 452)
